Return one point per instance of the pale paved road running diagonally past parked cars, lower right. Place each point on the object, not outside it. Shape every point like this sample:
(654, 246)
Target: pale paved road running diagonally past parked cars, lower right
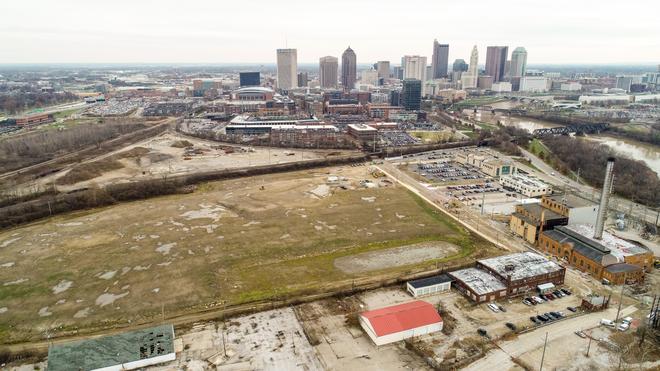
(500, 358)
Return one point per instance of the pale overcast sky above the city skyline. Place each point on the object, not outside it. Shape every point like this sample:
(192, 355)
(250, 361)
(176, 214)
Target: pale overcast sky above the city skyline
(219, 31)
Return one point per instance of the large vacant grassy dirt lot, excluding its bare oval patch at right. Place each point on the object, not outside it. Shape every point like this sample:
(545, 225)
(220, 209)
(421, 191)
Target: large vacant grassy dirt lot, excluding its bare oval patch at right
(231, 242)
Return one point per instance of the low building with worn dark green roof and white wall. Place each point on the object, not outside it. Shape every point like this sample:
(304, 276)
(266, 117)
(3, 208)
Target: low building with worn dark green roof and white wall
(127, 351)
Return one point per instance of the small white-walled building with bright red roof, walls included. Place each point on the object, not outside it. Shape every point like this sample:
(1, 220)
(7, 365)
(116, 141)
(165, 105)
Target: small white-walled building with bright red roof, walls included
(399, 322)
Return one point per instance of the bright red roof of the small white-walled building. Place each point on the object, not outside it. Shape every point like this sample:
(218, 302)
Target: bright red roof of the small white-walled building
(402, 317)
